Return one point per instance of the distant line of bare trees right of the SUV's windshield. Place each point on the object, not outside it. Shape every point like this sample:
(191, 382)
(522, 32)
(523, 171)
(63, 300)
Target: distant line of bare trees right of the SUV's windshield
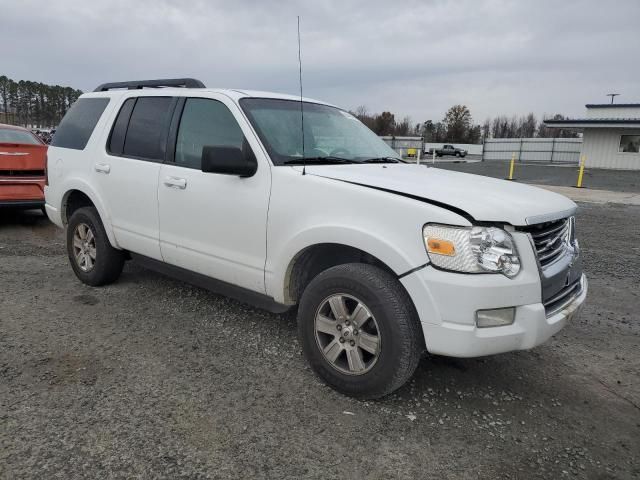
(458, 126)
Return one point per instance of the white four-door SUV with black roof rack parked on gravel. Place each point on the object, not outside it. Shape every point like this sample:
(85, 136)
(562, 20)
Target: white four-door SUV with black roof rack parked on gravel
(225, 189)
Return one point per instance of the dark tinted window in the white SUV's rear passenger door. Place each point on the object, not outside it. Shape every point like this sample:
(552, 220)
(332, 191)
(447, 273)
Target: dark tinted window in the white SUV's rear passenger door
(146, 136)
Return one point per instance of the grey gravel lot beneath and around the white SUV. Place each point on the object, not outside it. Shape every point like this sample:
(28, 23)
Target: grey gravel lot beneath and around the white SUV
(150, 378)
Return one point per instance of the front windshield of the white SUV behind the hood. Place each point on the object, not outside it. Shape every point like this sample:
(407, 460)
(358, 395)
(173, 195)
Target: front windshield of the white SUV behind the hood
(331, 135)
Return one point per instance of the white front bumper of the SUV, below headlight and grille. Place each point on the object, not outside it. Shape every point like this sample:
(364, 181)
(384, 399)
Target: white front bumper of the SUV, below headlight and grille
(447, 304)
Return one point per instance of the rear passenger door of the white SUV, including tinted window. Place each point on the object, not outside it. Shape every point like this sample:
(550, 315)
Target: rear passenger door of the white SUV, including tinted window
(127, 172)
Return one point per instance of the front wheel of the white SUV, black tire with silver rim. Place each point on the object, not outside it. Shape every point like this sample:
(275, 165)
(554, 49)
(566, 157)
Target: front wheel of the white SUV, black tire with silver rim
(393, 321)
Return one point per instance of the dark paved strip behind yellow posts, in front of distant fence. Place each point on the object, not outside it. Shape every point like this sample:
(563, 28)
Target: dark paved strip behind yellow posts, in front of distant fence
(545, 174)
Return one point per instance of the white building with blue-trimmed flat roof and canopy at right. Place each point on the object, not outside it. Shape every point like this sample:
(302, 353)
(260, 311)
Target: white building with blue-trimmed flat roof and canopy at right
(611, 135)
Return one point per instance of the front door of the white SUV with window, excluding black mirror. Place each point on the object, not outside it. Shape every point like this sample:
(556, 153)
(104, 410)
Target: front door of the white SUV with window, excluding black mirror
(211, 223)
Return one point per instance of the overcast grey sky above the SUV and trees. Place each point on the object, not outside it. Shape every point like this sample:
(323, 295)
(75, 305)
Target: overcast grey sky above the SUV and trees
(414, 58)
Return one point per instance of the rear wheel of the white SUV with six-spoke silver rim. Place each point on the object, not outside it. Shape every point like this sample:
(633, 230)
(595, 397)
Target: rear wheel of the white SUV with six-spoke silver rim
(101, 264)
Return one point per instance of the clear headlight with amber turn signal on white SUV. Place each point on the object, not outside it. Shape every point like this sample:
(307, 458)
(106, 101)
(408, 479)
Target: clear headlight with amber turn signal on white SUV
(471, 249)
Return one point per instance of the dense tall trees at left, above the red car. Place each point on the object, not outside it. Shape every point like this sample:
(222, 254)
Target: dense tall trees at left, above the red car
(34, 104)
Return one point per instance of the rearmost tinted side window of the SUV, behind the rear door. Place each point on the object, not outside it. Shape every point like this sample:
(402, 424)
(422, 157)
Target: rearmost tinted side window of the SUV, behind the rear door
(76, 127)
